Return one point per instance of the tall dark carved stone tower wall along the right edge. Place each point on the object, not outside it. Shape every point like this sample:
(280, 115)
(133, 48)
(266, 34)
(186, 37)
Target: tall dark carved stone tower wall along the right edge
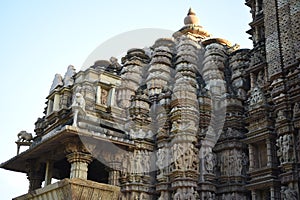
(273, 129)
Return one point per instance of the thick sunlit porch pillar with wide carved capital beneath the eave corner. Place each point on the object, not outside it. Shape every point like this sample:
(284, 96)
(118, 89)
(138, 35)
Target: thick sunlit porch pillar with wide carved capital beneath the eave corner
(79, 164)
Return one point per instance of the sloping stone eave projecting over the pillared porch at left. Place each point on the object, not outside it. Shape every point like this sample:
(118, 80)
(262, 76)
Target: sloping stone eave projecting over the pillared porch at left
(54, 143)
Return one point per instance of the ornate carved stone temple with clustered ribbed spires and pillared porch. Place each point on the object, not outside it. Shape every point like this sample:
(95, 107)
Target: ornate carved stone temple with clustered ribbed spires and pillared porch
(192, 117)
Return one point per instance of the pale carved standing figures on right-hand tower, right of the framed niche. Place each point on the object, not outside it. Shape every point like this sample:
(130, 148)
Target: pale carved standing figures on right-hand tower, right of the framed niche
(285, 148)
